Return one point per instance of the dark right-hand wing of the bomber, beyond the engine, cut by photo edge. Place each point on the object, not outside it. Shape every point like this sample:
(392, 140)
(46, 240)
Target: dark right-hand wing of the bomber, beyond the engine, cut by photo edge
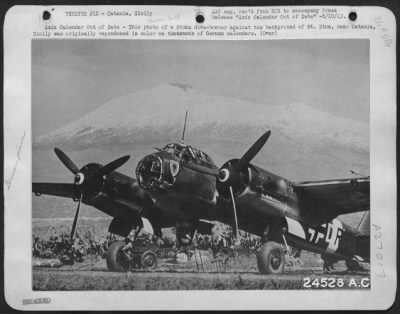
(334, 197)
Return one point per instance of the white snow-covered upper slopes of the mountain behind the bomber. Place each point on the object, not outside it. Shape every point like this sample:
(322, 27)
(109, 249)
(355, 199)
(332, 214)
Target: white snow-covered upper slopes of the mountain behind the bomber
(158, 113)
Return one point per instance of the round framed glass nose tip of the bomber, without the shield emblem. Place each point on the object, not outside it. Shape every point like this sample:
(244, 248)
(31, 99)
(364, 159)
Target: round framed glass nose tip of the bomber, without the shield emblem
(149, 171)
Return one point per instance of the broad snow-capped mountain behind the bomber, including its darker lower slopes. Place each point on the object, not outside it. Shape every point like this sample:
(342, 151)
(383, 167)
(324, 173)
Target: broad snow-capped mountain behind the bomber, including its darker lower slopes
(306, 144)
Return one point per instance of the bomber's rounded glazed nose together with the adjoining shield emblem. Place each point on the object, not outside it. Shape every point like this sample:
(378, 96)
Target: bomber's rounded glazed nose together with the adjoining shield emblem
(154, 170)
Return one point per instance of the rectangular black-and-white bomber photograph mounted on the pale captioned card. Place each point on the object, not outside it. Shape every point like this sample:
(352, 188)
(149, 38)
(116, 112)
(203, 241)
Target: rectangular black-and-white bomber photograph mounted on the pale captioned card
(200, 164)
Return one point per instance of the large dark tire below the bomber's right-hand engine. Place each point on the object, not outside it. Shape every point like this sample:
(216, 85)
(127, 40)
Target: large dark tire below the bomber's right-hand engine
(270, 258)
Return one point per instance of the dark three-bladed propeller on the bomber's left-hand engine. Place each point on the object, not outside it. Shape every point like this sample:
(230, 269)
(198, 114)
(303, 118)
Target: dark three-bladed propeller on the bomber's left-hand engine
(84, 177)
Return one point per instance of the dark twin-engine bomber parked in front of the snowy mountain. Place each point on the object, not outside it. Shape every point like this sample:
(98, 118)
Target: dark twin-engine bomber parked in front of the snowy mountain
(180, 186)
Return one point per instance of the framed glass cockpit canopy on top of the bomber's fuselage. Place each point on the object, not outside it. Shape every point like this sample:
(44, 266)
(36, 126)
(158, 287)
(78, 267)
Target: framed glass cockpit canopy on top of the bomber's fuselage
(189, 153)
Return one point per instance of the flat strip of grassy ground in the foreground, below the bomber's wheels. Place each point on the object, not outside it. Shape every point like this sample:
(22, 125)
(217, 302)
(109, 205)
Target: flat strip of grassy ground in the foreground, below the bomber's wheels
(46, 279)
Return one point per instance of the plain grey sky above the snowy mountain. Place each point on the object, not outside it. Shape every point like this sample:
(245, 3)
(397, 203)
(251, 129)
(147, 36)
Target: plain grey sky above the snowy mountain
(73, 77)
